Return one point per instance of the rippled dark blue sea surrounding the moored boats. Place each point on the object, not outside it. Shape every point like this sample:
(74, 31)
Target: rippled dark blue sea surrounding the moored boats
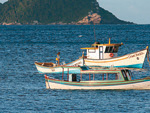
(22, 88)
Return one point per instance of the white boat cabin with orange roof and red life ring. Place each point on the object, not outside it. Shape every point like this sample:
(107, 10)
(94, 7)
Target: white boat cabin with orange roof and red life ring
(102, 51)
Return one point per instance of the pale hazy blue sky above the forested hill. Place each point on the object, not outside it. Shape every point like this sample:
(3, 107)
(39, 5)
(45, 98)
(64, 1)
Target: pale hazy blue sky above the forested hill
(137, 11)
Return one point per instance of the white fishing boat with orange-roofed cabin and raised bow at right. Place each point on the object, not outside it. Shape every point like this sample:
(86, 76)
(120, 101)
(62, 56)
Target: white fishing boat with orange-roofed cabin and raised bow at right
(105, 55)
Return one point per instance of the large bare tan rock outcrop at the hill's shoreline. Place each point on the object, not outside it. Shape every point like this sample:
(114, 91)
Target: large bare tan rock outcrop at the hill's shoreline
(90, 19)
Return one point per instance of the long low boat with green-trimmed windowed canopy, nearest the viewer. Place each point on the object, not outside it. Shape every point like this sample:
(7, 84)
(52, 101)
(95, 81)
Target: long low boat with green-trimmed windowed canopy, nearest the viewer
(98, 79)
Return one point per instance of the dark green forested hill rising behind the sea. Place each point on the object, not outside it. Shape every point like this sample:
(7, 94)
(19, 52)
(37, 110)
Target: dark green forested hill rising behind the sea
(53, 12)
